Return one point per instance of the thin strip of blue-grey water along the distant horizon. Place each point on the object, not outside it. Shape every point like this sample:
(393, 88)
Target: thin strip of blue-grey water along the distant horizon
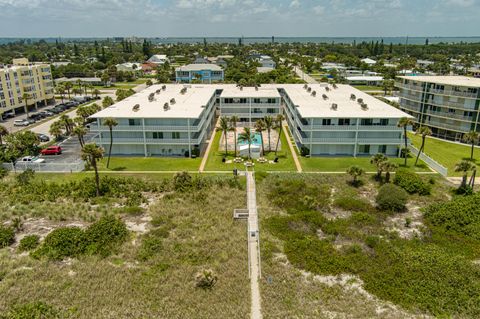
(249, 40)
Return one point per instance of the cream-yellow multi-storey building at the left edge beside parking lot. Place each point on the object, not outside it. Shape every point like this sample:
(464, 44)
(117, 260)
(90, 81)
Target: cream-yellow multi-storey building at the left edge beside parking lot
(23, 77)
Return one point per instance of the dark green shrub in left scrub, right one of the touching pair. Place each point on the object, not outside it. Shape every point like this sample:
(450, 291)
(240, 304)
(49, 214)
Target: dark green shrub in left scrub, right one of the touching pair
(103, 236)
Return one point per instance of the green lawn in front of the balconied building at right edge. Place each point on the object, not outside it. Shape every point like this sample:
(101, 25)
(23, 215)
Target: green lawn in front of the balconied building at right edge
(445, 153)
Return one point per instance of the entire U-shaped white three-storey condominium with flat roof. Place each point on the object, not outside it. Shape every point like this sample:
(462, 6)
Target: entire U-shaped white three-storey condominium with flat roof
(176, 120)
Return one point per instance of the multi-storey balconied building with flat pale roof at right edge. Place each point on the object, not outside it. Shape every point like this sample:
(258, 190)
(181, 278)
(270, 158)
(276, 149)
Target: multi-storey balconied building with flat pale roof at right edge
(449, 105)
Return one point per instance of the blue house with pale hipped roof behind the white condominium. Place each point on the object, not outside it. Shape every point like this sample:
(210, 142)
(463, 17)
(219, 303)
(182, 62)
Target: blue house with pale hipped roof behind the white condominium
(198, 72)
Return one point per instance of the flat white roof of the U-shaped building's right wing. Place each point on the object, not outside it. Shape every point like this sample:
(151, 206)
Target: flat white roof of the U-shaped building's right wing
(316, 107)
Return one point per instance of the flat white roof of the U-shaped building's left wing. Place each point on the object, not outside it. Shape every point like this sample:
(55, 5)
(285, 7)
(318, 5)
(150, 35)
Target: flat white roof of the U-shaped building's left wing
(188, 105)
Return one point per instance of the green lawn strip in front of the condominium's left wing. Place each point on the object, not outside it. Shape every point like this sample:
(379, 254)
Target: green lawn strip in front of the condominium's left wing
(150, 164)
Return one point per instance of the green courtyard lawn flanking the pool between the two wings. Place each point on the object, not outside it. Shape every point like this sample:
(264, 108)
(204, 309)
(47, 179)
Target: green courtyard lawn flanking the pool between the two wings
(214, 162)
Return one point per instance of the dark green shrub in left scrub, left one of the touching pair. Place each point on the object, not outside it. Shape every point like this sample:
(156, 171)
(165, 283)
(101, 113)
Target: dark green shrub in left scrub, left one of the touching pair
(61, 243)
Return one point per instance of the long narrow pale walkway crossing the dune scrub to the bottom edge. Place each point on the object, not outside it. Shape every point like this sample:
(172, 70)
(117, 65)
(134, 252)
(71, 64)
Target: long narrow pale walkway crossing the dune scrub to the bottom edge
(253, 247)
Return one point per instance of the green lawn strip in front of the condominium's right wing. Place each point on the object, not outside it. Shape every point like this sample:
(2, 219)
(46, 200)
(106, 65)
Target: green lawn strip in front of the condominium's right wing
(340, 164)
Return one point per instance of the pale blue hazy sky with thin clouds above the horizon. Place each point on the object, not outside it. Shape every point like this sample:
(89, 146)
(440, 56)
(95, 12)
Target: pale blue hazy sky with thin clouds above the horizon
(233, 18)
